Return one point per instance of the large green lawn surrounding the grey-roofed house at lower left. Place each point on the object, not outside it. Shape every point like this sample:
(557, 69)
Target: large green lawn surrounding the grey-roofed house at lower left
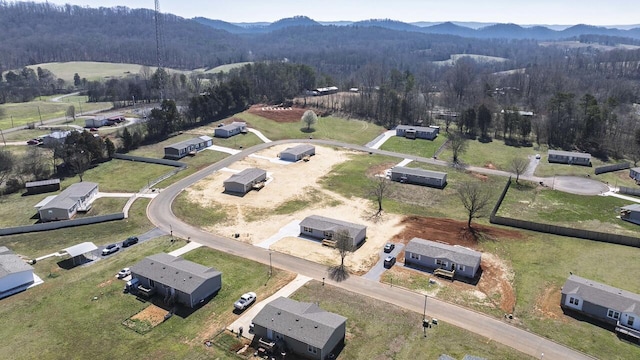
(78, 313)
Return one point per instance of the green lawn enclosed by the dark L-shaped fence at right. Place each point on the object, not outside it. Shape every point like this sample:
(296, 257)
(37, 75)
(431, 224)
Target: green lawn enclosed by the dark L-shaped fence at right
(597, 213)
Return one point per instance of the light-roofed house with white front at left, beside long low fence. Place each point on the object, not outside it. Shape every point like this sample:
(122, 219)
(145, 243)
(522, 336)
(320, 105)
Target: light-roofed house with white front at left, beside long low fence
(64, 206)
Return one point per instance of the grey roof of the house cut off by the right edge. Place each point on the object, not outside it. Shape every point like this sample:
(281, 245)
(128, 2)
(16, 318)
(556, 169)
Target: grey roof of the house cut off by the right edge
(602, 294)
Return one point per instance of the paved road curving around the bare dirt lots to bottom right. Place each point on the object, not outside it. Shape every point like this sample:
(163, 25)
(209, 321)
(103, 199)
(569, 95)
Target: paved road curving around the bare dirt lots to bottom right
(160, 213)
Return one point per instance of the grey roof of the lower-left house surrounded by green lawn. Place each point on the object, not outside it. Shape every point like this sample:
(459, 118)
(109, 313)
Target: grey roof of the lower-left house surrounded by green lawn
(176, 272)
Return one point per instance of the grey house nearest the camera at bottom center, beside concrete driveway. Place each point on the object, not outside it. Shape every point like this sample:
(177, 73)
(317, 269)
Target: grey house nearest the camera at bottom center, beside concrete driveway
(300, 328)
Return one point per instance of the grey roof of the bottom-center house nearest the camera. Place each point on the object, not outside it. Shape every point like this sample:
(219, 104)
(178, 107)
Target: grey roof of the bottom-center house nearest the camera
(305, 322)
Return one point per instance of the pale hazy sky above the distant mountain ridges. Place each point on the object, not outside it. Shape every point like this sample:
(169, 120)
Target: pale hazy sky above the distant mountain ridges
(523, 12)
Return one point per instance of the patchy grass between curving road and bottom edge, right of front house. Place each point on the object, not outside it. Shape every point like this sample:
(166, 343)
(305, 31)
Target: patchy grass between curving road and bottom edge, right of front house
(377, 330)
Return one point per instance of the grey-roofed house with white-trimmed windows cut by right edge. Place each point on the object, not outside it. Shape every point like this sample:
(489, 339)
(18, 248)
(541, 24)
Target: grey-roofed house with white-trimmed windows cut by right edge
(603, 303)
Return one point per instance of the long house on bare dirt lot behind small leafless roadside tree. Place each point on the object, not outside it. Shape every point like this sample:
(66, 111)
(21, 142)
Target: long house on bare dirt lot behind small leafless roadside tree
(322, 228)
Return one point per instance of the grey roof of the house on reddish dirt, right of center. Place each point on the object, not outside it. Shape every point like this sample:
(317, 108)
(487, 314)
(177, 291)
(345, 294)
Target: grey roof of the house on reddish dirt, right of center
(454, 253)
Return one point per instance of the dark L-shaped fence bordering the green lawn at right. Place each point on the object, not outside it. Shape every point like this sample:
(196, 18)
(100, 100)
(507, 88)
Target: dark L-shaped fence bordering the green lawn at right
(558, 230)
